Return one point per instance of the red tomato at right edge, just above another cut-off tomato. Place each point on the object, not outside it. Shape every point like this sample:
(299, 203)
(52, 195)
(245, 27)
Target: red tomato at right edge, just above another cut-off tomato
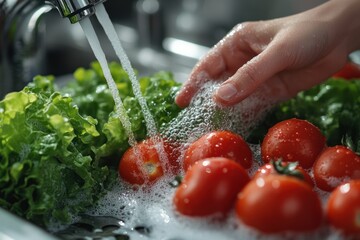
(334, 166)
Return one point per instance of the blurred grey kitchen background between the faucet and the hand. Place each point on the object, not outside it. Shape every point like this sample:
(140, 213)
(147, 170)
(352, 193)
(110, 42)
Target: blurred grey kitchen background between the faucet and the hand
(159, 34)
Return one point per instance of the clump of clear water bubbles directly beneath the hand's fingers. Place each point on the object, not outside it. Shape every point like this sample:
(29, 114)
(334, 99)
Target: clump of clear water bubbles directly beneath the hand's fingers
(204, 115)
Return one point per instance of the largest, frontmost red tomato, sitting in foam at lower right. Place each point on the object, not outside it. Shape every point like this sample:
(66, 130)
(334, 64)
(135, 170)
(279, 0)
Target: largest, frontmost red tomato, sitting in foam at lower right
(278, 203)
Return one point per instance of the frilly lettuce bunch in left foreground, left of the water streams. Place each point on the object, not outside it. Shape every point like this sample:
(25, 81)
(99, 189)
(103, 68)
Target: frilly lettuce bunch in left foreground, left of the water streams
(47, 167)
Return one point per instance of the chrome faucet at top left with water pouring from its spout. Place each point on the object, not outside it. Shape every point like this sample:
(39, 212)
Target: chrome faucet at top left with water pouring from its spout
(22, 51)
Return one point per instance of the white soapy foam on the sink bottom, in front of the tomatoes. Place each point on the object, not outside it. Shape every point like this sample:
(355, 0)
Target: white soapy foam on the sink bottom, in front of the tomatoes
(153, 209)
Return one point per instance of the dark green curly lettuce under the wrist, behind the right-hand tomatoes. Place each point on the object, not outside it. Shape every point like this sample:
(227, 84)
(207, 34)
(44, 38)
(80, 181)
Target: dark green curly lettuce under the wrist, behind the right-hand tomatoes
(333, 106)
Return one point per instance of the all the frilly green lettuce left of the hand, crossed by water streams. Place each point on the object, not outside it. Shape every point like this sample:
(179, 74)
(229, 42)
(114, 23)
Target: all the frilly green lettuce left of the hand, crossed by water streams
(59, 147)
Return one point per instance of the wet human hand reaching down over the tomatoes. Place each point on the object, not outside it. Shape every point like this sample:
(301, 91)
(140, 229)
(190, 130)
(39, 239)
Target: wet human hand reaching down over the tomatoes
(284, 55)
